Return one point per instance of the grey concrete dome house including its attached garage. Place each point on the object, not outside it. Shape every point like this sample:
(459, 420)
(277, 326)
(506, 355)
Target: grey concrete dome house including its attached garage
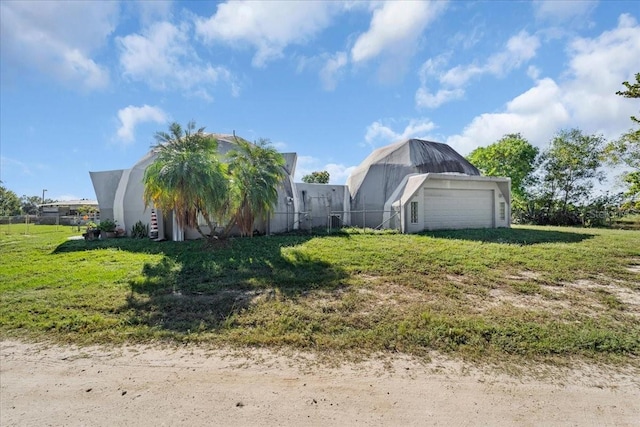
(412, 185)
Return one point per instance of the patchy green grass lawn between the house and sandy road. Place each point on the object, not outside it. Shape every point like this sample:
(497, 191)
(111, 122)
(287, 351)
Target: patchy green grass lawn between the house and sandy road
(540, 293)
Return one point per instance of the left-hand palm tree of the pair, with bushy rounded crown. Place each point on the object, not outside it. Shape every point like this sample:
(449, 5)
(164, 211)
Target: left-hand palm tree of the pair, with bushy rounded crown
(187, 176)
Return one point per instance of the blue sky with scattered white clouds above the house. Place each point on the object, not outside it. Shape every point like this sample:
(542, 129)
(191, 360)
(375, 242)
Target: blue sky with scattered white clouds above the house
(86, 85)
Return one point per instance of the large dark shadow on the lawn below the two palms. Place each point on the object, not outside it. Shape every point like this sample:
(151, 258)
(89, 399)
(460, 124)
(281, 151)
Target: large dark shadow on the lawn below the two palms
(197, 288)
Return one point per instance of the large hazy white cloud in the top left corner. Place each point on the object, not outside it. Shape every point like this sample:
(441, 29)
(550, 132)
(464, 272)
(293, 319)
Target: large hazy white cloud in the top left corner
(57, 39)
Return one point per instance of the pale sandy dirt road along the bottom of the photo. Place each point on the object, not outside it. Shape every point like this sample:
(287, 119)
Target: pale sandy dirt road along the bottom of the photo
(149, 386)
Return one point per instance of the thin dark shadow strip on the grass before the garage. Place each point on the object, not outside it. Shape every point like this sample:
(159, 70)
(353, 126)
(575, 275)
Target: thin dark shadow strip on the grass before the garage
(514, 236)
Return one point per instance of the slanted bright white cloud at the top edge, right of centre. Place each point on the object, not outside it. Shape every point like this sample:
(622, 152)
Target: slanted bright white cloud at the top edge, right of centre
(394, 25)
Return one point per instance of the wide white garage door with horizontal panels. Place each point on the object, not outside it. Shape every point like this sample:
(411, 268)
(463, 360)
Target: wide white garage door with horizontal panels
(451, 209)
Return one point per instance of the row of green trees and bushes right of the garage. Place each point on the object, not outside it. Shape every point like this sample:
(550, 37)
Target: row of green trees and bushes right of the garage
(555, 186)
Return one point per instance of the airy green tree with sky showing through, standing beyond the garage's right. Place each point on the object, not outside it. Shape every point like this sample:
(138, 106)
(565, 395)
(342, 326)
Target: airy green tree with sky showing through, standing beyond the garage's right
(568, 170)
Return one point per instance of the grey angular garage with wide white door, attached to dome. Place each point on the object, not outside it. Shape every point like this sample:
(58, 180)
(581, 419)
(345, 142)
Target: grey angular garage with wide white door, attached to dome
(441, 201)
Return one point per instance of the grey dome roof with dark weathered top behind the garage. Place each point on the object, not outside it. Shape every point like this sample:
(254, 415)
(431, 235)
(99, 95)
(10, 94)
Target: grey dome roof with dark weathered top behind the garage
(381, 172)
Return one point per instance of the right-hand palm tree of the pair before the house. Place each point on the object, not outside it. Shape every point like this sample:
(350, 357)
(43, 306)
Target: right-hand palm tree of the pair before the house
(256, 171)
